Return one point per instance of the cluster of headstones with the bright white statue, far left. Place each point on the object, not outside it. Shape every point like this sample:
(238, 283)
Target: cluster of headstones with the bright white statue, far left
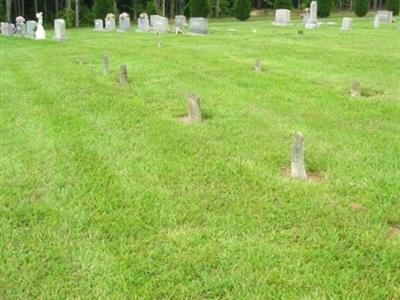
(32, 29)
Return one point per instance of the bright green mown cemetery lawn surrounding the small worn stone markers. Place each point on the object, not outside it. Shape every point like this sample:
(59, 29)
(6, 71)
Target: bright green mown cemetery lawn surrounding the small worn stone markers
(106, 193)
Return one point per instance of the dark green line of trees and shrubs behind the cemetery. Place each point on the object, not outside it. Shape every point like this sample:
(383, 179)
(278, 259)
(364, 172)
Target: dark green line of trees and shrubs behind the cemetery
(83, 12)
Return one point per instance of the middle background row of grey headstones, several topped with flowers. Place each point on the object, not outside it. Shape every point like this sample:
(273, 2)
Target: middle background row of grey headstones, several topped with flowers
(155, 23)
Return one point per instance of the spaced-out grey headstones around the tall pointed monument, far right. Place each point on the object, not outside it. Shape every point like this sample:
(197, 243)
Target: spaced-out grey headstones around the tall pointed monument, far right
(282, 18)
